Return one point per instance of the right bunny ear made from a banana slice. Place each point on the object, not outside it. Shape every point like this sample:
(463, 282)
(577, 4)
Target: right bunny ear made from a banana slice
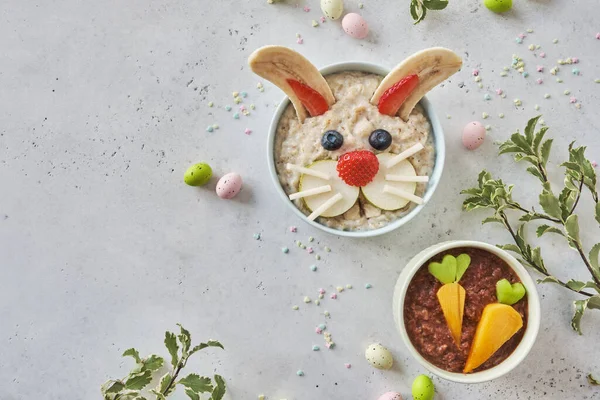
(432, 66)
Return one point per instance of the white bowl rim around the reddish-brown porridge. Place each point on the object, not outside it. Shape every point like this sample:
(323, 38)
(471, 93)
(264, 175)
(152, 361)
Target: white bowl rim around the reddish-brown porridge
(533, 319)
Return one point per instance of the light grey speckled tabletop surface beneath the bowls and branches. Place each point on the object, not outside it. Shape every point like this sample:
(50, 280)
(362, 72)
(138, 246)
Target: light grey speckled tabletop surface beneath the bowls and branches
(104, 105)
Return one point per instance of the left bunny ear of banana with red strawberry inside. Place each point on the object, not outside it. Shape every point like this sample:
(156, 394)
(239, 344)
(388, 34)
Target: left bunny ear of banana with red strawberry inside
(296, 76)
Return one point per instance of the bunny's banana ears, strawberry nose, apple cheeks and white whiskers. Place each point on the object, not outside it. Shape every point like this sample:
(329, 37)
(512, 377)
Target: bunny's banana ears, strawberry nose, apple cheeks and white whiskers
(332, 183)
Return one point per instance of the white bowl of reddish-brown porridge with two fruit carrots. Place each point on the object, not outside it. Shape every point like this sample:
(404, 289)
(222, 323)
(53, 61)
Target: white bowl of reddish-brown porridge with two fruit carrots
(420, 313)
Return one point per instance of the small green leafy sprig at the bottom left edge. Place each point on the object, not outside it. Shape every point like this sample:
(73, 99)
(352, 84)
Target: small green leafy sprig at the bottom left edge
(180, 350)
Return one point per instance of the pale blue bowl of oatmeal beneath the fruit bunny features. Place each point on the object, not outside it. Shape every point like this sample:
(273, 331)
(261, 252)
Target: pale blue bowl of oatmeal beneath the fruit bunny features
(300, 143)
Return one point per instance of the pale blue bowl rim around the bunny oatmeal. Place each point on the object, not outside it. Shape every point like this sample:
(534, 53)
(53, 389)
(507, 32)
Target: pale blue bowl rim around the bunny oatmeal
(438, 143)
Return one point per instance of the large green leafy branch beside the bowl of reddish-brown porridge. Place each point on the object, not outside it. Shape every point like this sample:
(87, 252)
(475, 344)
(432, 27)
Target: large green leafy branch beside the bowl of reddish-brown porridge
(559, 210)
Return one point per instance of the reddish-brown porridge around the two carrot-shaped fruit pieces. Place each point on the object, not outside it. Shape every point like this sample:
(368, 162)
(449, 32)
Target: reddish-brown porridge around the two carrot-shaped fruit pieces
(424, 319)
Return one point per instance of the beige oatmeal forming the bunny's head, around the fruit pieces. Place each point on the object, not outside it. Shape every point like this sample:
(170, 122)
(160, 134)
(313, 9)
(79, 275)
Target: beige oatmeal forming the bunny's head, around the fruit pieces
(355, 118)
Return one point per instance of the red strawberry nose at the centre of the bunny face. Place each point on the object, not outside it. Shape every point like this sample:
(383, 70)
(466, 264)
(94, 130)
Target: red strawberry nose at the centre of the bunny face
(358, 168)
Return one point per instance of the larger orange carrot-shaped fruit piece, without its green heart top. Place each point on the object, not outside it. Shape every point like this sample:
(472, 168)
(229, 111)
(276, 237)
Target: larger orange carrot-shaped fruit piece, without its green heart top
(498, 323)
